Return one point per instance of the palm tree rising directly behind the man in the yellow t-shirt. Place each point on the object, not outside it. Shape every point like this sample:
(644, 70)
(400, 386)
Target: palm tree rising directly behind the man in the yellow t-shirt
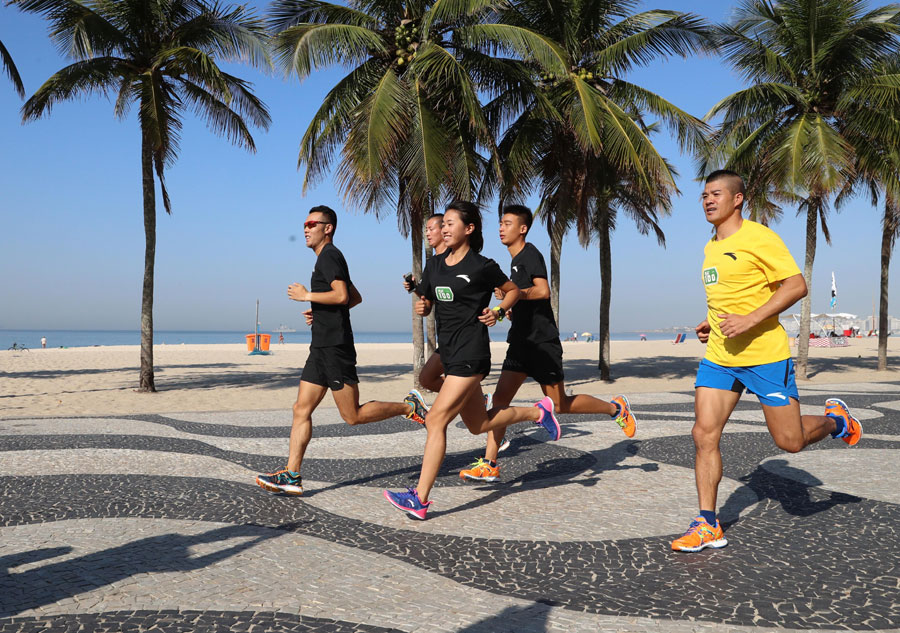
(797, 125)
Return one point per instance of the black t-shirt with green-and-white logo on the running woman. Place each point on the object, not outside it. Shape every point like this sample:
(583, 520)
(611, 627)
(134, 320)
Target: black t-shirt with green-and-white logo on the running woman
(460, 293)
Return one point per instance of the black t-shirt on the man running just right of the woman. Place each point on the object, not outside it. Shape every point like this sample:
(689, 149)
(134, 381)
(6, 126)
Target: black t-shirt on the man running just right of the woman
(532, 321)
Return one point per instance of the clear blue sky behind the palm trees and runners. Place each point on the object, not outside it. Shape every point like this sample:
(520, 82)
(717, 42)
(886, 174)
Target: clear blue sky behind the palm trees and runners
(71, 248)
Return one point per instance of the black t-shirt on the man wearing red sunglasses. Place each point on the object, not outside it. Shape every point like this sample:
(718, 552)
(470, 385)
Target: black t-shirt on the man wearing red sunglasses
(331, 323)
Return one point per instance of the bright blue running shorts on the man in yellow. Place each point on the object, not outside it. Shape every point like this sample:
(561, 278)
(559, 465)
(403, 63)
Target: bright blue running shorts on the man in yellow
(772, 383)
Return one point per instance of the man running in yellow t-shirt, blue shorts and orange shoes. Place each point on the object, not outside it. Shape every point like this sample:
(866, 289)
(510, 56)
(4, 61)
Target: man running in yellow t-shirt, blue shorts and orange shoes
(750, 278)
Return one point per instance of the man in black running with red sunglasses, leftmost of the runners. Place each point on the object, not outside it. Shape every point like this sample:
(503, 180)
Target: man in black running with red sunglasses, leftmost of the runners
(331, 363)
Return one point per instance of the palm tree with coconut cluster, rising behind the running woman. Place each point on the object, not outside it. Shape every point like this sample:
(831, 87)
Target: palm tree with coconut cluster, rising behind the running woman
(406, 119)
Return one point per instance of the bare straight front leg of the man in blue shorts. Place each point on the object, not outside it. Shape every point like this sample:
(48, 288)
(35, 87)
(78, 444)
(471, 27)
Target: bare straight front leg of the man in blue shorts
(712, 407)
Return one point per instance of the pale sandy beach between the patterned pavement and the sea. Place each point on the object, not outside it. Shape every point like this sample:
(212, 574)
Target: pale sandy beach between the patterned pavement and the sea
(102, 380)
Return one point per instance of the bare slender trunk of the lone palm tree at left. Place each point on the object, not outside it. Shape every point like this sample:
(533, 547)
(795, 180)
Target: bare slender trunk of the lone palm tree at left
(147, 383)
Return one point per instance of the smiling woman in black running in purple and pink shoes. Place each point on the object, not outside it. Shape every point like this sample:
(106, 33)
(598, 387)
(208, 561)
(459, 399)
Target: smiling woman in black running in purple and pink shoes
(459, 284)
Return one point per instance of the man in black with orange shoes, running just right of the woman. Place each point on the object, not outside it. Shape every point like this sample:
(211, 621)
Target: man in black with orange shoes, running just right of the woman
(534, 347)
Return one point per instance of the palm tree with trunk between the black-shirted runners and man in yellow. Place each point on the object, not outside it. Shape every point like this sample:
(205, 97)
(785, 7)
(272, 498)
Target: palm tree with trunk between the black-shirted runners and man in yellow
(576, 134)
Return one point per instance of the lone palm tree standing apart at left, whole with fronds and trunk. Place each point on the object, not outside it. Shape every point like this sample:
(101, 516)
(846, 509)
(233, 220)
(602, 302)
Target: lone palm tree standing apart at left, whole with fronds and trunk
(160, 55)
